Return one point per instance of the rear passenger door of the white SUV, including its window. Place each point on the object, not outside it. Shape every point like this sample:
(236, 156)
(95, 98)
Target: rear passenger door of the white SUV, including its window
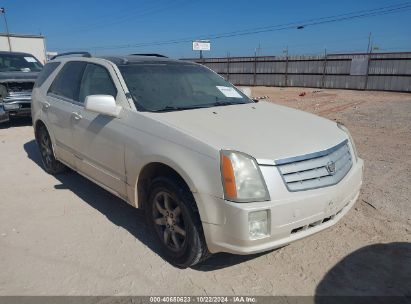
(62, 94)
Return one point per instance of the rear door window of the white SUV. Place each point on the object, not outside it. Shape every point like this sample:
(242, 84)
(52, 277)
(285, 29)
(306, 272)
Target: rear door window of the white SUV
(67, 82)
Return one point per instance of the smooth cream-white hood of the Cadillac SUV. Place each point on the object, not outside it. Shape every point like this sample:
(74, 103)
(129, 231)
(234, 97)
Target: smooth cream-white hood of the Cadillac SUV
(263, 130)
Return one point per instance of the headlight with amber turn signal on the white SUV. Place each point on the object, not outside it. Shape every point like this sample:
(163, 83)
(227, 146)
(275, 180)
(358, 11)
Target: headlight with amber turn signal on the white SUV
(242, 178)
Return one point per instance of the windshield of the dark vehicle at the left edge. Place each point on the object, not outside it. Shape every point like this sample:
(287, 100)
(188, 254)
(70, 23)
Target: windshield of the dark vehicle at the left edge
(19, 63)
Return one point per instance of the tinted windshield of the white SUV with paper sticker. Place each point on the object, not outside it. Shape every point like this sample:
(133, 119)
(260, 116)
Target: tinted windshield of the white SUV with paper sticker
(160, 87)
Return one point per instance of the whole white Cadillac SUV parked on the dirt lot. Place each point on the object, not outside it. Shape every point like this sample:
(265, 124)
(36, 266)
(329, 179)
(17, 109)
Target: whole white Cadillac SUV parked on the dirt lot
(215, 171)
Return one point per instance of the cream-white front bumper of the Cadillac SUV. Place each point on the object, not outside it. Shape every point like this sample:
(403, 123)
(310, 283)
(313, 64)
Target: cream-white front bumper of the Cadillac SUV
(291, 215)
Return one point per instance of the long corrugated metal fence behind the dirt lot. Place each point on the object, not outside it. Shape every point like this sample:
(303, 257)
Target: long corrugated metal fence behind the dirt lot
(379, 71)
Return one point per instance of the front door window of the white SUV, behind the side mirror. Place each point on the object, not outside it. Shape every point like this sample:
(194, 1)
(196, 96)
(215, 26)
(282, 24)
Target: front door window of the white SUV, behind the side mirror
(96, 81)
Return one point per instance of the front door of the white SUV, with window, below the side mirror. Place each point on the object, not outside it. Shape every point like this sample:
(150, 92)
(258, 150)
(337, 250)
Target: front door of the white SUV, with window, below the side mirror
(98, 139)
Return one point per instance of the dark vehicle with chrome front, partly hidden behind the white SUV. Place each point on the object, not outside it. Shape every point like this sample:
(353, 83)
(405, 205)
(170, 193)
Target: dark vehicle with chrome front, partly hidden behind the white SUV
(18, 72)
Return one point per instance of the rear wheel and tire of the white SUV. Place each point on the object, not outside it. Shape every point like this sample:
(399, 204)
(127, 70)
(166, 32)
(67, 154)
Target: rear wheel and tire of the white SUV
(50, 164)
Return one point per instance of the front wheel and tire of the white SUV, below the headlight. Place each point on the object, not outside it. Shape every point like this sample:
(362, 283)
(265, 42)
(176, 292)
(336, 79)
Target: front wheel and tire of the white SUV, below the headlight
(173, 216)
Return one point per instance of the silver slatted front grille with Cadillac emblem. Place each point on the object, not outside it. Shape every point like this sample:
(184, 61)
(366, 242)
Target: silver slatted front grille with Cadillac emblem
(316, 170)
